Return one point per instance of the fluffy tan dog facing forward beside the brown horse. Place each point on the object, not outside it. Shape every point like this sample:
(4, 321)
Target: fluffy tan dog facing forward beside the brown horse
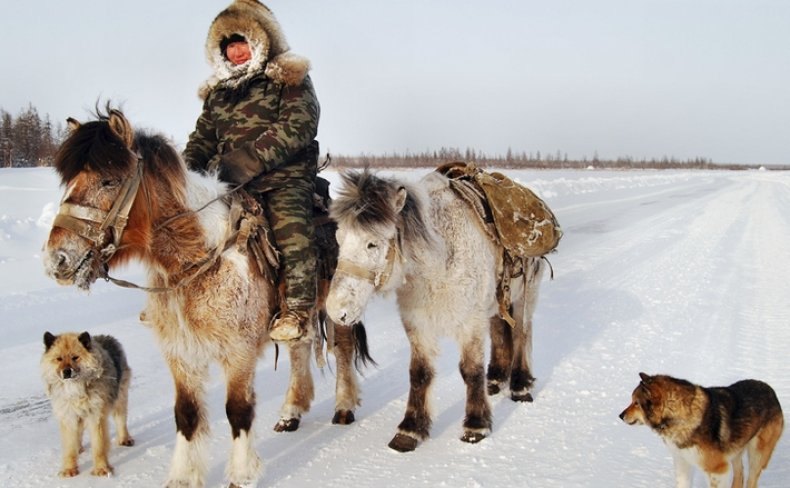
(87, 378)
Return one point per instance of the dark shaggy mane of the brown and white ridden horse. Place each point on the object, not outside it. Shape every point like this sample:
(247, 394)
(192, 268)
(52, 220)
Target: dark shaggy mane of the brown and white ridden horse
(98, 146)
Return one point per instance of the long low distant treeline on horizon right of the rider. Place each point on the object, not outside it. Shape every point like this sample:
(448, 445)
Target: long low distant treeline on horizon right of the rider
(523, 160)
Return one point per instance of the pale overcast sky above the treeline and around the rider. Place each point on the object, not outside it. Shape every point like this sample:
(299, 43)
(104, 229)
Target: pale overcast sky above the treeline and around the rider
(640, 78)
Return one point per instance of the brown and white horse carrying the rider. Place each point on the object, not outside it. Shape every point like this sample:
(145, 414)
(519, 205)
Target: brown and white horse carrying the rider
(129, 196)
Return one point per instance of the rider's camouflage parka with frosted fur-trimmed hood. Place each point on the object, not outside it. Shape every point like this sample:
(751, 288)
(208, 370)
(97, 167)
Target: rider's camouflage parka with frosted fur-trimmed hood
(267, 104)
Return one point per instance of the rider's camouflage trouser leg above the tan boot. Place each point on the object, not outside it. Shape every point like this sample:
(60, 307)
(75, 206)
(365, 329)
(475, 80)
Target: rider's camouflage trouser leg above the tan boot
(290, 214)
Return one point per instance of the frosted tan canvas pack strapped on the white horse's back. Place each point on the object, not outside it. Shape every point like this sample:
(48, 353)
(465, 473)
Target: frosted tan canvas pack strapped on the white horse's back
(516, 220)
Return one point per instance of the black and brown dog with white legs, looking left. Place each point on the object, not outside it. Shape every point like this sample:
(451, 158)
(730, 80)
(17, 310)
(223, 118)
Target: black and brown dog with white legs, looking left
(710, 427)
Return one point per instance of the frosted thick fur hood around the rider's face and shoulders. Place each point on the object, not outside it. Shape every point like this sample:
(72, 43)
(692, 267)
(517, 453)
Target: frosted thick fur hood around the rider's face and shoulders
(270, 51)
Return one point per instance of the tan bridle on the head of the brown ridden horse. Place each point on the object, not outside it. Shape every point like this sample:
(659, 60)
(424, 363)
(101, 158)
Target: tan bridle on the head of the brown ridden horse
(103, 229)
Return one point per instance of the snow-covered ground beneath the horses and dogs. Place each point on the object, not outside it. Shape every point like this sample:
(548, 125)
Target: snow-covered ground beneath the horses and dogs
(676, 272)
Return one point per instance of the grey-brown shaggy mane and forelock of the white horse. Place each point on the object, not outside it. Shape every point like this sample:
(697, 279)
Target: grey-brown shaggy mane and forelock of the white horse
(366, 201)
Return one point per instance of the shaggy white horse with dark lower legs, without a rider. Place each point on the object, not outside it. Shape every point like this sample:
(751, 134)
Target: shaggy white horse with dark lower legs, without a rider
(423, 242)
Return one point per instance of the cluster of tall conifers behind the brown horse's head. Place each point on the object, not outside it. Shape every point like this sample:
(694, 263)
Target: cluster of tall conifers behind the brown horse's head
(27, 140)
